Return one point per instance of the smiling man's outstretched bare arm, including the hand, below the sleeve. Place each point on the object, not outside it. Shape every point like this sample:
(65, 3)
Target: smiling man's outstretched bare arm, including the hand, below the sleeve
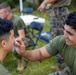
(32, 55)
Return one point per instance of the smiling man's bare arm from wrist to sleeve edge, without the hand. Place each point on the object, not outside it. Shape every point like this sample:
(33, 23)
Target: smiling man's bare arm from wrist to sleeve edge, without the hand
(37, 54)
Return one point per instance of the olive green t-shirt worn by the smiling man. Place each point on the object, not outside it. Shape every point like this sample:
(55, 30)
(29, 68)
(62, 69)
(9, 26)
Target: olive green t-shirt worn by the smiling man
(58, 45)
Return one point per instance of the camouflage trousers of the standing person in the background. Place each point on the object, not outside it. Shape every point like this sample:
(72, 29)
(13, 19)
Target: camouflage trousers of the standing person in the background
(57, 17)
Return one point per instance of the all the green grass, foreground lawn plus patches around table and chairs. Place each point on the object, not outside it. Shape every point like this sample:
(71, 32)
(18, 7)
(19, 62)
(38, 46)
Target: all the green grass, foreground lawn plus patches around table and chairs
(33, 68)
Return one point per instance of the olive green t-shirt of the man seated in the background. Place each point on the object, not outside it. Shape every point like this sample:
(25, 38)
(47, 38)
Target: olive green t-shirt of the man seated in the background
(18, 24)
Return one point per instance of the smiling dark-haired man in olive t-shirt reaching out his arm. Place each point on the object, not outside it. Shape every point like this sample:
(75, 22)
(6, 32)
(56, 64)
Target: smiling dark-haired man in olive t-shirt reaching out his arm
(64, 44)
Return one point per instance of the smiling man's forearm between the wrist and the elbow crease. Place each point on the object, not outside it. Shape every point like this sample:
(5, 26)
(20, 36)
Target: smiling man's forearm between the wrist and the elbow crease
(33, 55)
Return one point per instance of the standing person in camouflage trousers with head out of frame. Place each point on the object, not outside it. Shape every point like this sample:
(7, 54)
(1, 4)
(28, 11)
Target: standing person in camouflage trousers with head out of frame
(57, 14)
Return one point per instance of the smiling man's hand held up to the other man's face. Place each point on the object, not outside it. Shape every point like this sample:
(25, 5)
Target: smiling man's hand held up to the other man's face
(20, 47)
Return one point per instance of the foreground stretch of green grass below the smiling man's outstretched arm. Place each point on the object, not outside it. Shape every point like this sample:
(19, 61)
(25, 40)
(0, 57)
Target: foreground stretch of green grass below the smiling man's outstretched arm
(33, 68)
